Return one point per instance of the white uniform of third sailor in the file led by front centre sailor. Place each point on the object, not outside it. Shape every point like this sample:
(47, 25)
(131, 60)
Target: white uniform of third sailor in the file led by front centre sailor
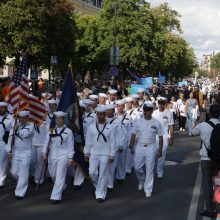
(126, 122)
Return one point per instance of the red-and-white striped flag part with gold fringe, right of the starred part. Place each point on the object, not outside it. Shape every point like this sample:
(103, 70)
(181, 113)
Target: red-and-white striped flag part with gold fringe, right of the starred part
(37, 110)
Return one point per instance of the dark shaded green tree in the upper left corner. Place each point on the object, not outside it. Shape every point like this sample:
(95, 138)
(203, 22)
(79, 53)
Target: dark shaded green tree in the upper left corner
(45, 27)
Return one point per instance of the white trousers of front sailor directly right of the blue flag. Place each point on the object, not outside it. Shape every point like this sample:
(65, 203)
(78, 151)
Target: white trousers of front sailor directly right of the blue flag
(98, 171)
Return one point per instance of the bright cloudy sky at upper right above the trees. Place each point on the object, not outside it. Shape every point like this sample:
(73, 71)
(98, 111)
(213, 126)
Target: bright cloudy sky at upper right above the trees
(200, 22)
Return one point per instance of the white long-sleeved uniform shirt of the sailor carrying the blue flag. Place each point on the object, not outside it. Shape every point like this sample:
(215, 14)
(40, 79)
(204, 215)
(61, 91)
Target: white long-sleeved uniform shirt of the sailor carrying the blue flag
(60, 147)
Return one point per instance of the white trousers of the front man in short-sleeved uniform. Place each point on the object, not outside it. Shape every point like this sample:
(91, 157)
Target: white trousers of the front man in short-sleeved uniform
(145, 156)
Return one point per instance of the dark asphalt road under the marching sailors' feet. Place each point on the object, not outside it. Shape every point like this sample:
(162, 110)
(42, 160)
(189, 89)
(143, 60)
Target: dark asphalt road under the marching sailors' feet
(170, 200)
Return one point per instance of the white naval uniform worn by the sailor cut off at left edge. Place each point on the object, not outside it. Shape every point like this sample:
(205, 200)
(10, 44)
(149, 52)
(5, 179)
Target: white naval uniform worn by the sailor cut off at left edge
(5, 125)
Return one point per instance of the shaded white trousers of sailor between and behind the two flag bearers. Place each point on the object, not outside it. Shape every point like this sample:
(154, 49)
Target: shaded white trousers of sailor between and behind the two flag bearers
(37, 164)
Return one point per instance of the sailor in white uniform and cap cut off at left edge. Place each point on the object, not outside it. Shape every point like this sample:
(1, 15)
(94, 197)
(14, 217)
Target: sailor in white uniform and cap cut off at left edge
(6, 121)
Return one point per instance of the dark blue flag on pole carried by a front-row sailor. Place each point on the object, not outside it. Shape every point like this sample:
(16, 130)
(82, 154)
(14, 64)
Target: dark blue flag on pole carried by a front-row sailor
(69, 103)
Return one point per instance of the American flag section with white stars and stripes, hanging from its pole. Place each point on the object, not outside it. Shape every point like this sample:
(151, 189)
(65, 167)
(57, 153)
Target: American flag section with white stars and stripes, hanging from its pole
(19, 89)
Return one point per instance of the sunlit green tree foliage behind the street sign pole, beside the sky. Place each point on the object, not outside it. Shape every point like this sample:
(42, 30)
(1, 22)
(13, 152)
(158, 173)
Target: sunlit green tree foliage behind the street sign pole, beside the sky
(149, 39)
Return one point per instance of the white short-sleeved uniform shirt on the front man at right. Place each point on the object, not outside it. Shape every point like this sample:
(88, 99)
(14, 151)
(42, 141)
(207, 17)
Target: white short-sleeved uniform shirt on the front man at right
(146, 131)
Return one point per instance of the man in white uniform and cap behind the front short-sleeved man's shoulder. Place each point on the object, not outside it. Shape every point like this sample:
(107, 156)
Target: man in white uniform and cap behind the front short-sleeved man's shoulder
(165, 117)
